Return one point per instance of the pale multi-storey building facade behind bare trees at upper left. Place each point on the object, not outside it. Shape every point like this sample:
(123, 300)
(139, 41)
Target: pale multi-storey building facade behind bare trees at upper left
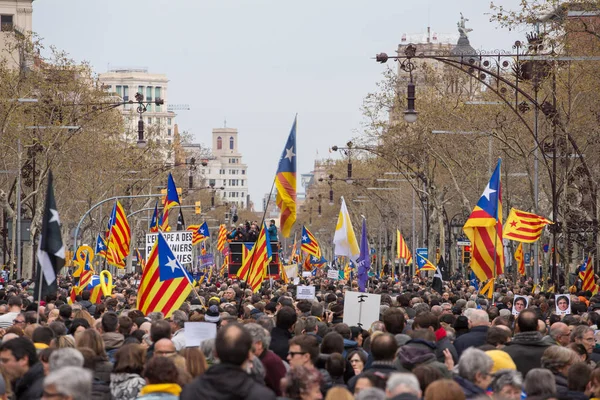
(158, 120)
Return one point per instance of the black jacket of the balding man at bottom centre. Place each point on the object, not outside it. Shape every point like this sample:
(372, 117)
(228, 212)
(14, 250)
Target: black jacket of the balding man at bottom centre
(226, 382)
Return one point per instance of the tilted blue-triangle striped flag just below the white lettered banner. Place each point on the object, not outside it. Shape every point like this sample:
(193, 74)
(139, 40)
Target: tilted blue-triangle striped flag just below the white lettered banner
(165, 283)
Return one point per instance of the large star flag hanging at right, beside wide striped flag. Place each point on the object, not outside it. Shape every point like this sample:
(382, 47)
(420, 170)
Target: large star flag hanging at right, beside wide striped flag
(484, 230)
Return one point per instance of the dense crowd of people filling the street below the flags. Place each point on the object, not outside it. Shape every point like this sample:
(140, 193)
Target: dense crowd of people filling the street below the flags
(268, 345)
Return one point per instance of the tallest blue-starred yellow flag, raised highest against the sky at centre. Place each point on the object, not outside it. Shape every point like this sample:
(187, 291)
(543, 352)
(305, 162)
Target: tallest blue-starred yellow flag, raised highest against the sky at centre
(285, 182)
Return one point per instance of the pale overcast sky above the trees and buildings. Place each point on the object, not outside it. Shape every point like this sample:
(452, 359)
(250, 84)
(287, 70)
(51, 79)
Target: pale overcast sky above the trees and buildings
(257, 63)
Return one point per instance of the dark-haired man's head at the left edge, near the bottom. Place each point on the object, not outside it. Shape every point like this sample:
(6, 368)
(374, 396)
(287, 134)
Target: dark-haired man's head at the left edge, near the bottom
(17, 356)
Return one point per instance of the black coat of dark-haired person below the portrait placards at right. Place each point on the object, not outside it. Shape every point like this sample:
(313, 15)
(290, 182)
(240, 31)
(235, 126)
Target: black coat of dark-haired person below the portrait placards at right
(526, 349)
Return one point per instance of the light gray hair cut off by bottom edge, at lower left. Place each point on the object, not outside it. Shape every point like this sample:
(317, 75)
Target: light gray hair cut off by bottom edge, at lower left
(75, 382)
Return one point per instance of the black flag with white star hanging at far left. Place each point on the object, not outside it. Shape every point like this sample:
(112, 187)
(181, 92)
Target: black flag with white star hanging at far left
(51, 251)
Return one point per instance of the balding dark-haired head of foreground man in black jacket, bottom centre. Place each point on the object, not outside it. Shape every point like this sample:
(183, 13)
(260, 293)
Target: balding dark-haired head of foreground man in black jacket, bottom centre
(233, 344)
